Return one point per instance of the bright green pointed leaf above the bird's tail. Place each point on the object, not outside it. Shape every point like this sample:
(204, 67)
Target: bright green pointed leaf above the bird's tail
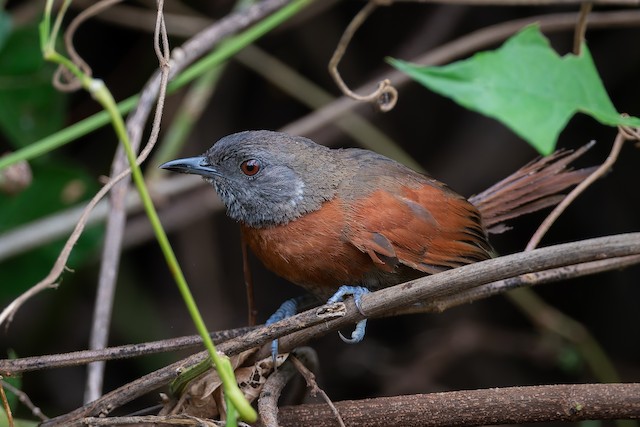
(525, 85)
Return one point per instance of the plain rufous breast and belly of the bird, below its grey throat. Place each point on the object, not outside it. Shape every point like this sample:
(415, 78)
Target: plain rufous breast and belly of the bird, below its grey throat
(311, 252)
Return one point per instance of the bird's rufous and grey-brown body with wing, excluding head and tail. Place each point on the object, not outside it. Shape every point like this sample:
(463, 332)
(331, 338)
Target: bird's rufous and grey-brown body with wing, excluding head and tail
(386, 224)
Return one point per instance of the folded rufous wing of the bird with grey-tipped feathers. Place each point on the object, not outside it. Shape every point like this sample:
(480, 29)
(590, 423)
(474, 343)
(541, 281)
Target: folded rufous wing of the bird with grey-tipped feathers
(428, 228)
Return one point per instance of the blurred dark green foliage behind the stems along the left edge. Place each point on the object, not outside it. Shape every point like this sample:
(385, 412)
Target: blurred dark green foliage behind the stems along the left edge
(30, 109)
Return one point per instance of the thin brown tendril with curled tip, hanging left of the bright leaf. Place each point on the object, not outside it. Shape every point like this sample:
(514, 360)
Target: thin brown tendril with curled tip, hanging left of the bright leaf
(385, 96)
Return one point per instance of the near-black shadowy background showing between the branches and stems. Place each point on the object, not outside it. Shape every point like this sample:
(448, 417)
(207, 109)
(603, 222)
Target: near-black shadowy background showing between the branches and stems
(486, 344)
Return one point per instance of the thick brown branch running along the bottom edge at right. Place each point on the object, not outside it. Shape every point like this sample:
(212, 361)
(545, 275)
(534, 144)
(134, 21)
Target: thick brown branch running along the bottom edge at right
(509, 405)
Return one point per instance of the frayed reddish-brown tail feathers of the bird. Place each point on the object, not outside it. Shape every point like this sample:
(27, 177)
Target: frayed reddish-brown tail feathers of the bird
(533, 187)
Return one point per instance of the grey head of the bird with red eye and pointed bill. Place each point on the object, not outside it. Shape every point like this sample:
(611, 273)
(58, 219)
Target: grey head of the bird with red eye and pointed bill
(266, 178)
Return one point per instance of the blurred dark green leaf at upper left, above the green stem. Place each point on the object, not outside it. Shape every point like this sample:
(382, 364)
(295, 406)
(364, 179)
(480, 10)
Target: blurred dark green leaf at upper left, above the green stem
(30, 107)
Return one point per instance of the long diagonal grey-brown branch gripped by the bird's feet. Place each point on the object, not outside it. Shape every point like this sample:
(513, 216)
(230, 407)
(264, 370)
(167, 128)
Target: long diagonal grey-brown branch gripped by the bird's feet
(317, 322)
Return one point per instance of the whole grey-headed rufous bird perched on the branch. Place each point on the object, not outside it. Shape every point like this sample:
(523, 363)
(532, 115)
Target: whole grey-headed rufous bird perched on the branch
(349, 220)
